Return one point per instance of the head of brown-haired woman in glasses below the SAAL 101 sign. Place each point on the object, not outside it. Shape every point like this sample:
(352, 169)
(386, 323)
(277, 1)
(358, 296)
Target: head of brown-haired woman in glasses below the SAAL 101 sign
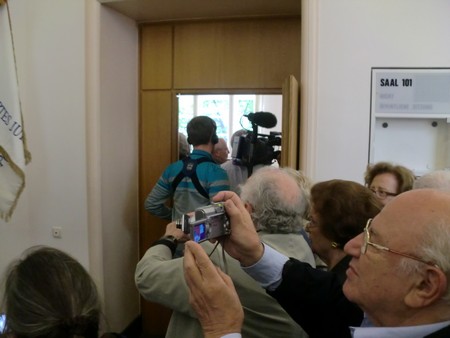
(387, 180)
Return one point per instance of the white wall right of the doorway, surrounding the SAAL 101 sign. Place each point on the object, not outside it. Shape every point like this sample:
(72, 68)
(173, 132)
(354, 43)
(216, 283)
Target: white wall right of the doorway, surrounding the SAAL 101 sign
(341, 41)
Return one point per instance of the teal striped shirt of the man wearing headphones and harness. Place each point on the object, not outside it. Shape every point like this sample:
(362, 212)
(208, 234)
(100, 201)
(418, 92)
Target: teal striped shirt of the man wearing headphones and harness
(186, 197)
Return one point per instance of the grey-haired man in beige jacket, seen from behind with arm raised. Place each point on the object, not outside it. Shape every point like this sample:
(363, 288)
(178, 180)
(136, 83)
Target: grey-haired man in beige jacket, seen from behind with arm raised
(159, 277)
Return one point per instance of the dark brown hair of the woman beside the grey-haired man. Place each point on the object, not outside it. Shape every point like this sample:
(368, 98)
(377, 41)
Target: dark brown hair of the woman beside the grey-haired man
(343, 208)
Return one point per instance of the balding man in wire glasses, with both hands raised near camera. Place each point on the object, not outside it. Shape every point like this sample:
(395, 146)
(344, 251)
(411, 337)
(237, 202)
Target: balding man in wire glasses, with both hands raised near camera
(399, 273)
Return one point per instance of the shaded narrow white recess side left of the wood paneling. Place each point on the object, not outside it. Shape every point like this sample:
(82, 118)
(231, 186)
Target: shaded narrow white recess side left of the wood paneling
(119, 164)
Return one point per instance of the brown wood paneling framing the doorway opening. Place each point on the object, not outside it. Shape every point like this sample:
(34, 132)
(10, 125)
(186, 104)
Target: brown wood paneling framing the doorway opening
(251, 55)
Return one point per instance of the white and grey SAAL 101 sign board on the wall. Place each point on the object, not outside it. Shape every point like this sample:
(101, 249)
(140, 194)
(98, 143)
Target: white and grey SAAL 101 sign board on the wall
(410, 118)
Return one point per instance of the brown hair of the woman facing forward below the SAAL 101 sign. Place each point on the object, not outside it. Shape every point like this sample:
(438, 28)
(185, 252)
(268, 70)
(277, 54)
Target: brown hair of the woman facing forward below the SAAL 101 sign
(404, 176)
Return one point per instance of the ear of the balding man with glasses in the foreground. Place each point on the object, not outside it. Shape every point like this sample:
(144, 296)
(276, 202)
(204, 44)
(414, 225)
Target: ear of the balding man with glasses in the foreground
(429, 286)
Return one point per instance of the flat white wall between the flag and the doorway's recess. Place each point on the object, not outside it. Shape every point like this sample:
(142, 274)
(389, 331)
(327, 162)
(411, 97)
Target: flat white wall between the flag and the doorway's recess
(53, 102)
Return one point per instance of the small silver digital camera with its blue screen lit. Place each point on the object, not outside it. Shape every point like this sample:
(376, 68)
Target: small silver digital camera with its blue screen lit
(208, 222)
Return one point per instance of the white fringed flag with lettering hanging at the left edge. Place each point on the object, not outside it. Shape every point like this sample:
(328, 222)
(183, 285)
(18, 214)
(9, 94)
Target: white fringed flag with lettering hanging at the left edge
(13, 151)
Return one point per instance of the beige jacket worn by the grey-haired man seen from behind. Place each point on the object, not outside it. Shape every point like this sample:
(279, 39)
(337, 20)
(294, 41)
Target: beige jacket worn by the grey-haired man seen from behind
(160, 279)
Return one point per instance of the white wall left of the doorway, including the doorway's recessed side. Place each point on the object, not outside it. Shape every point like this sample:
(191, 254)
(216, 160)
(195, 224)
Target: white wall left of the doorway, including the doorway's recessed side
(77, 64)
